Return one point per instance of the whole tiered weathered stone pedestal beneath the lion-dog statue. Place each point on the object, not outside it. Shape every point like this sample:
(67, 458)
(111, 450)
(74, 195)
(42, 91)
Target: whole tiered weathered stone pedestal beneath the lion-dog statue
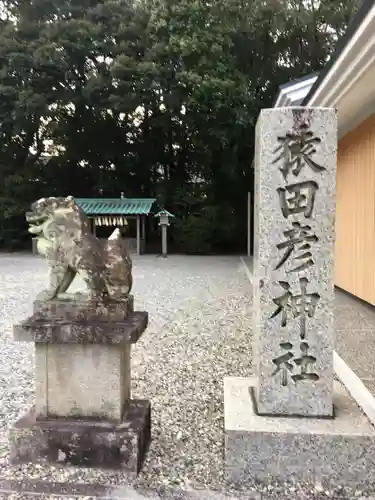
(83, 412)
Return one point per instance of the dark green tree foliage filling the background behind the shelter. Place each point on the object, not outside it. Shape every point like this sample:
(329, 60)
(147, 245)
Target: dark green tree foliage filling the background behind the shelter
(149, 97)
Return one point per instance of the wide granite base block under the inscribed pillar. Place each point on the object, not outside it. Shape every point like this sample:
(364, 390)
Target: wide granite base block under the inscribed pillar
(334, 451)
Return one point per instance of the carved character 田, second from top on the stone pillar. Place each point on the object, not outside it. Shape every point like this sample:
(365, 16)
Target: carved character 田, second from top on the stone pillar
(302, 198)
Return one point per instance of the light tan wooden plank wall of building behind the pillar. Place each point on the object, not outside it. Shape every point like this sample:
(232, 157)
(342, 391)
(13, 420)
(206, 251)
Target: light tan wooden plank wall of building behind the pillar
(355, 212)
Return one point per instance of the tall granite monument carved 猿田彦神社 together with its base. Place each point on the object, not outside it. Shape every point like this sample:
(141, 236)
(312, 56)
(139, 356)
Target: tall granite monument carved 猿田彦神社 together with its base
(291, 420)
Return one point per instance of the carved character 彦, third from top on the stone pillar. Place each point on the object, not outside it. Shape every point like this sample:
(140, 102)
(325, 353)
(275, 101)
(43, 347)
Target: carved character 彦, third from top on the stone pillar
(297, 239)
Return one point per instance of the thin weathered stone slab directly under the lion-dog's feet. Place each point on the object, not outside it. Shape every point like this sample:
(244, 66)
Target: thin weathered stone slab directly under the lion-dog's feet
(79, 307)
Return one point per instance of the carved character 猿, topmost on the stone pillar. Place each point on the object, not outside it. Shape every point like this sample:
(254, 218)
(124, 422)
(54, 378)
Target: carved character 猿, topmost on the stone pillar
(296, 149)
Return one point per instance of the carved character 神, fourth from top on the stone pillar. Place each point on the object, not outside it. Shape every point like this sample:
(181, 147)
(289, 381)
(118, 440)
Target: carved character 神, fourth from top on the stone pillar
(302, 305)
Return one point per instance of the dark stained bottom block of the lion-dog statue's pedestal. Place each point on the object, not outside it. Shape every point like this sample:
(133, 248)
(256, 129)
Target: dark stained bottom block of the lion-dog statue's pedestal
(84, 443)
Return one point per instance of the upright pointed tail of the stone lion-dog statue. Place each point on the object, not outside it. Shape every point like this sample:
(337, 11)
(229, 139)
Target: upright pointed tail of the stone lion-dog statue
(118, 265)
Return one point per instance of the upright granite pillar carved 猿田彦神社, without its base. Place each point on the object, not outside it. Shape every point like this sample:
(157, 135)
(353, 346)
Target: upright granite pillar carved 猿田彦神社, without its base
(295, 173)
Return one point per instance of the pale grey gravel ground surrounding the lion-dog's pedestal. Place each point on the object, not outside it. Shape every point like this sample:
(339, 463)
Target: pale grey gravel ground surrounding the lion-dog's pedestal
(200, 312)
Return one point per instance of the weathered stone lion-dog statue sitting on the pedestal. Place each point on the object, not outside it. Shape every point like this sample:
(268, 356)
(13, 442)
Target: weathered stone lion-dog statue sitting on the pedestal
(65, 239)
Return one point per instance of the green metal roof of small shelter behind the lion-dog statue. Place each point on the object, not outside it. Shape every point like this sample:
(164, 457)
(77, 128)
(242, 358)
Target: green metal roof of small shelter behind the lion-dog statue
(116, 206)
